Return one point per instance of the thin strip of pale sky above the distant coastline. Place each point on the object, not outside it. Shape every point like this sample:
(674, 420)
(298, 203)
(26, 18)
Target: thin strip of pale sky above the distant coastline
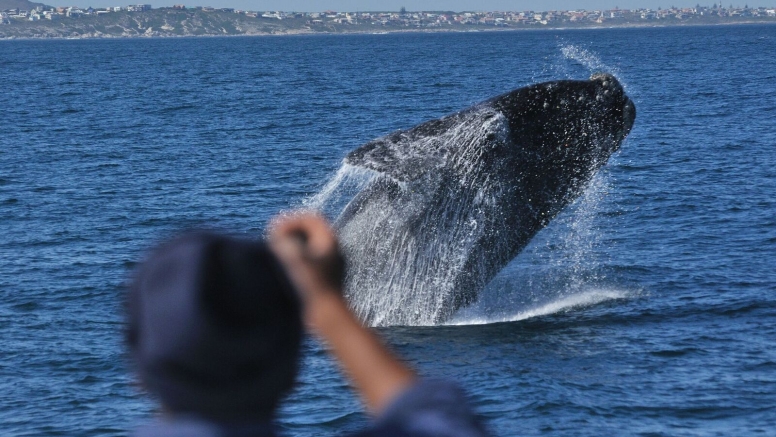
(428, 5)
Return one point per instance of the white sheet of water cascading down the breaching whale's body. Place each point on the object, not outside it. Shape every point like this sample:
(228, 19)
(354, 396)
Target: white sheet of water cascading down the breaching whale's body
(410, 255)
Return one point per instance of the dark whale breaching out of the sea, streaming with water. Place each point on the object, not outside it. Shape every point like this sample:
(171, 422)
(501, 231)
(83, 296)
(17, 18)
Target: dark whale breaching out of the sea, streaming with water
(450, 202)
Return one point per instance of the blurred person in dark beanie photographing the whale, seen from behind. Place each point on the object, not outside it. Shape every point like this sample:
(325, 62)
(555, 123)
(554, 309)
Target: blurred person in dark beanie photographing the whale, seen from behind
(215, 327)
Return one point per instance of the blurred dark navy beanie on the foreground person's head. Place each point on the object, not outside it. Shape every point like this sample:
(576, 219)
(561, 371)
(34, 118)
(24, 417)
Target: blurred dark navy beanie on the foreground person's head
(215, 327)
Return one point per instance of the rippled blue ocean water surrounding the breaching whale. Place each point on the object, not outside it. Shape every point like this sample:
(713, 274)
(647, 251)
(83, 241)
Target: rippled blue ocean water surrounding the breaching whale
(647, 308)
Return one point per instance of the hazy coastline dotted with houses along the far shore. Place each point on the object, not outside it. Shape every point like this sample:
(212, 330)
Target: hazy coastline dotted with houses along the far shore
(180, 20)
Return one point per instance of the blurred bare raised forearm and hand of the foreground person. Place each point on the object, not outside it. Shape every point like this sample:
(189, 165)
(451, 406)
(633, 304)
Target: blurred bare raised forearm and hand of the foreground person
(307, 247)
